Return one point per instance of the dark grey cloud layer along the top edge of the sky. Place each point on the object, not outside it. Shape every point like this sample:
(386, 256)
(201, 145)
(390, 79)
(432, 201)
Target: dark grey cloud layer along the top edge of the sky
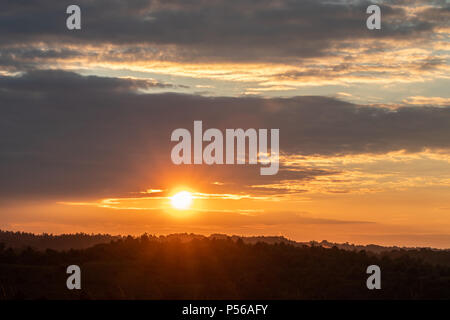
(217, 29)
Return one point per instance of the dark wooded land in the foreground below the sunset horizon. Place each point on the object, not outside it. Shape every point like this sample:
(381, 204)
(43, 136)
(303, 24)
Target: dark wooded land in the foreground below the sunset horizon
(206, 268)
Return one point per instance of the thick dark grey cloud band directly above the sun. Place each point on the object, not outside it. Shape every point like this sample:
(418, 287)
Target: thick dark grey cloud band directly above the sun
(64, 134)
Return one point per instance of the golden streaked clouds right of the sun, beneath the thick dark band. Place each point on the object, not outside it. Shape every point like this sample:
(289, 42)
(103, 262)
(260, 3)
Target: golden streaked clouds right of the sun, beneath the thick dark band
(365, 173)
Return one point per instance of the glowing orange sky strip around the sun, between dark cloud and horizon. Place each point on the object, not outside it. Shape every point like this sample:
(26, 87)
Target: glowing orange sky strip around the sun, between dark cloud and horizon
(405, 209)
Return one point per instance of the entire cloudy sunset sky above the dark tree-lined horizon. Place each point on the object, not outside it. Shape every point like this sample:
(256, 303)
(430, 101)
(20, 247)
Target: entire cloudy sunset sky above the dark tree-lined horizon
(364, 117)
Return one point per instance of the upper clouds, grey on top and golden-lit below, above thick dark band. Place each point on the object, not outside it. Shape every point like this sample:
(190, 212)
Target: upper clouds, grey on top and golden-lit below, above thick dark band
(268, 47)
